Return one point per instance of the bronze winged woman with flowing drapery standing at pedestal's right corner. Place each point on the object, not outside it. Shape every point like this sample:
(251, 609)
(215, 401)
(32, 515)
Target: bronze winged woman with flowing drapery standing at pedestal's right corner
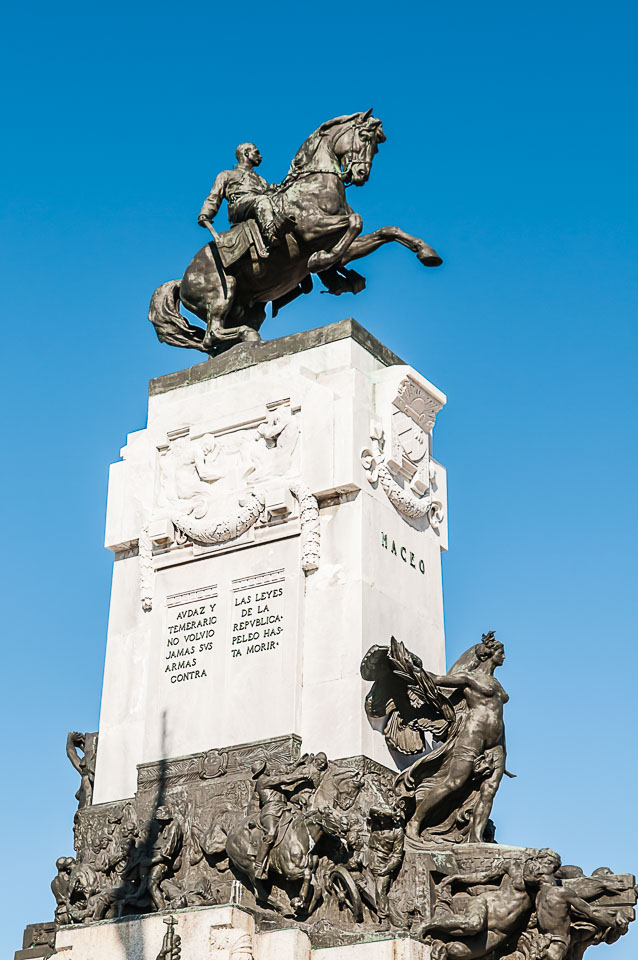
(453, 785)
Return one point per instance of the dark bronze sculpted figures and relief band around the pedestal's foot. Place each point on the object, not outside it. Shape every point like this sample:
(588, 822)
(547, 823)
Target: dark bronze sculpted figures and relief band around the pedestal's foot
(346, 846)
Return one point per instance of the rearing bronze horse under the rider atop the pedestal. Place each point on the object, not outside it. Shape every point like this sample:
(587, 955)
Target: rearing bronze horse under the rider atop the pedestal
(324, 235)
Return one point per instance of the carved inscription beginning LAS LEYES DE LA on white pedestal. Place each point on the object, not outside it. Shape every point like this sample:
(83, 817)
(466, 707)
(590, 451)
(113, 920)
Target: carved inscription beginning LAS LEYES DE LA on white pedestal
(257, 614)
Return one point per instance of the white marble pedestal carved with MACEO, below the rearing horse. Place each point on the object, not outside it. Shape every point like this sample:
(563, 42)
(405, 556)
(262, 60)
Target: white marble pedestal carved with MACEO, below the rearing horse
(280, 513)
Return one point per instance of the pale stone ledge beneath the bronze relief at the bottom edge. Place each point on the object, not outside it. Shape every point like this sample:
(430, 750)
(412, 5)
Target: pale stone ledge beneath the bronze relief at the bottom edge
(224, 932)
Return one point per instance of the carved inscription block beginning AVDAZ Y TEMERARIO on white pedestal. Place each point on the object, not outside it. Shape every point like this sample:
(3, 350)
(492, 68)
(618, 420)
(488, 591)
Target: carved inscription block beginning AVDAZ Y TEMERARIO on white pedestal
(191, 629)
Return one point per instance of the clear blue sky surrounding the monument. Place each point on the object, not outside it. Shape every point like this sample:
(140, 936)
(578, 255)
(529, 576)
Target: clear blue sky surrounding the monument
(511, 148)
